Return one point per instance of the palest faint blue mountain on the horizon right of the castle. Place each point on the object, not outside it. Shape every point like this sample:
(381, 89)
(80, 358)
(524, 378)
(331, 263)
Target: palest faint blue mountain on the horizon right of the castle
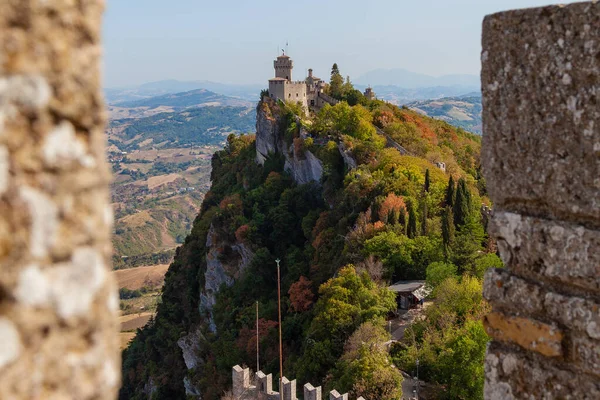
(408, 79)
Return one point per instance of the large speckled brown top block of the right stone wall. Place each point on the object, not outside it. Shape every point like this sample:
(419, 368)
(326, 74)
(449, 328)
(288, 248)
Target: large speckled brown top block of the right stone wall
(541, 120)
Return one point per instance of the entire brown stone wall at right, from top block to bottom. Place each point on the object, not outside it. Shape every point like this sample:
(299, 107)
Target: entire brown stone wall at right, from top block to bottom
(541, 159)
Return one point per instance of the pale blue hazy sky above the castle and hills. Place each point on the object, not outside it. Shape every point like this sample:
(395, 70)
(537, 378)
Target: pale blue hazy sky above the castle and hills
(235, 41)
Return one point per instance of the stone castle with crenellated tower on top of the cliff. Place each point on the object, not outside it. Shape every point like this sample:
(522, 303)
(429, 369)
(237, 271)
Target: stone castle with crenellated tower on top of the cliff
(308, 92)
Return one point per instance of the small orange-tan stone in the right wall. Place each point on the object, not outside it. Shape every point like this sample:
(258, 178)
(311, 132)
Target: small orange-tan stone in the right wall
(530, 334)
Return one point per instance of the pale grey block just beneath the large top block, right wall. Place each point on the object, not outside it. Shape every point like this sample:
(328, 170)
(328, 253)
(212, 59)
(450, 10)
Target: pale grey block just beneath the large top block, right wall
(547, 250)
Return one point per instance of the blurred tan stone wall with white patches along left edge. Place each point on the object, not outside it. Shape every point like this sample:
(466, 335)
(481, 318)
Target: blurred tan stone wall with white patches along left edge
(58, 301)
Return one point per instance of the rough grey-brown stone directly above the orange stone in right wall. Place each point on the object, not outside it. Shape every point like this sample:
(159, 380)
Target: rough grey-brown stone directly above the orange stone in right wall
(507, 291)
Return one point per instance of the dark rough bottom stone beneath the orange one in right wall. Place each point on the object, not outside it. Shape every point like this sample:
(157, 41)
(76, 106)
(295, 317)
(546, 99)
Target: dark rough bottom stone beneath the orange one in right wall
(512, 375)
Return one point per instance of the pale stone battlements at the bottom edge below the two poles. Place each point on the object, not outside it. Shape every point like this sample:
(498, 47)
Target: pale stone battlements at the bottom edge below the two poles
(263, 390)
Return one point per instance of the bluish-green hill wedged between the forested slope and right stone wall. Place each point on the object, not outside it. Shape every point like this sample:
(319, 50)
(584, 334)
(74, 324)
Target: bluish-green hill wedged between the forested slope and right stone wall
(462, 111)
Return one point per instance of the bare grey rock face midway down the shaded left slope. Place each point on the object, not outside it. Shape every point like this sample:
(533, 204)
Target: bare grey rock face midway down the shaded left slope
(220, 272)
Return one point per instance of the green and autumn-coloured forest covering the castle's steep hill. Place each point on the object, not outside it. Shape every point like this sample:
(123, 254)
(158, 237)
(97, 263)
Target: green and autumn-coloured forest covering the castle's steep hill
(342, 241)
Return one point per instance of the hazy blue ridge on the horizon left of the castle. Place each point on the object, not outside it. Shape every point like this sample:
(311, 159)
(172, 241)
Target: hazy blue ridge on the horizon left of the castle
(117, 96)
